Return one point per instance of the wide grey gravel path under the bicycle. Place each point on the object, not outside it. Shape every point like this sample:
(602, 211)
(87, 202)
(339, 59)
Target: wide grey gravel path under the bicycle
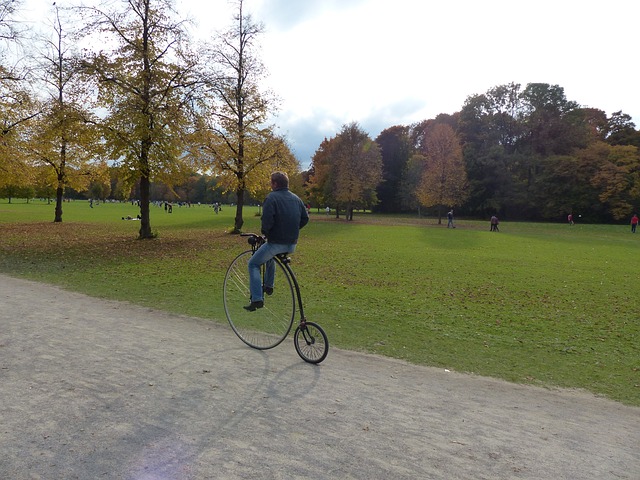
(99, 389)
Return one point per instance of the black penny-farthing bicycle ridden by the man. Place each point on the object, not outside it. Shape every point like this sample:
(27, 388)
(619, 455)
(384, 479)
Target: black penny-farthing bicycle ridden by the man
(267, 327)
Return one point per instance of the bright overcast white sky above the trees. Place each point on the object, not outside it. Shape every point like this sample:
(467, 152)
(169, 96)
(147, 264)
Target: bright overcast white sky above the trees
(382, 63)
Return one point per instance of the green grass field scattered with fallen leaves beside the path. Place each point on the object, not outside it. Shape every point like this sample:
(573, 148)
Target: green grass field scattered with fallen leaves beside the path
(542, 304)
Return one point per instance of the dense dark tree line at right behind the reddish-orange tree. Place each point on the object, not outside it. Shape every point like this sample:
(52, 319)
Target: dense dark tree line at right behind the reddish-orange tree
(528, 154)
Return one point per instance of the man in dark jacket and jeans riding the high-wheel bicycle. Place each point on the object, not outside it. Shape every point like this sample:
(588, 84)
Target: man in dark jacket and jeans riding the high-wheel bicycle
(283, 215)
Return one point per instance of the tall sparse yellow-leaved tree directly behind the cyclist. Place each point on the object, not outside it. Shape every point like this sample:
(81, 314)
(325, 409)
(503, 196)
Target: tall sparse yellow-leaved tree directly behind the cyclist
(241, 148)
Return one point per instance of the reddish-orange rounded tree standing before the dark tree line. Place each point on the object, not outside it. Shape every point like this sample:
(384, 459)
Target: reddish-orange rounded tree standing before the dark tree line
(444, 178)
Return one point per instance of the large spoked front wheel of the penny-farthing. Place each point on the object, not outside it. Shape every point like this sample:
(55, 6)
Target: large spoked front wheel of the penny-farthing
(265, 327)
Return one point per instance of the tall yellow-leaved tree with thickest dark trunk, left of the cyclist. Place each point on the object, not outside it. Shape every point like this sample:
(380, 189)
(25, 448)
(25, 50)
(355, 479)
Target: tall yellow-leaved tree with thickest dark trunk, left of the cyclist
(147, 85)
